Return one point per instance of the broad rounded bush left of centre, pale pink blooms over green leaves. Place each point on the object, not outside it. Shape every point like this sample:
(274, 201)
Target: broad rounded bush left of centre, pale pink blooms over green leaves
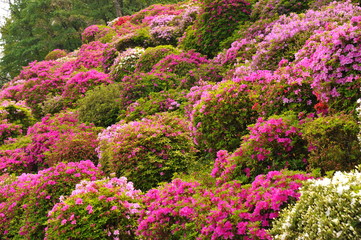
(149, 151)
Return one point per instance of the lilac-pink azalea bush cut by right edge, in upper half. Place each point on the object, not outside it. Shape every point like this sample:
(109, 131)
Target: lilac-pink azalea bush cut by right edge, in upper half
(339, 86)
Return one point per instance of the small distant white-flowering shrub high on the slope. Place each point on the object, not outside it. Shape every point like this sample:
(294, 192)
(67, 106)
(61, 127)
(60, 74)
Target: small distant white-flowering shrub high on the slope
(125, 63)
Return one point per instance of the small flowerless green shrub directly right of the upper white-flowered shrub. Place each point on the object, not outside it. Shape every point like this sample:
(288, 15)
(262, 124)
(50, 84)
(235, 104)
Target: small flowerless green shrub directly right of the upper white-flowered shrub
(152, 55)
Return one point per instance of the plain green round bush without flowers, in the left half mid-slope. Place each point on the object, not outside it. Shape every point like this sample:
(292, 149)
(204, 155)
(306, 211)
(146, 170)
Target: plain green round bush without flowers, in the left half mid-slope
(101, 105)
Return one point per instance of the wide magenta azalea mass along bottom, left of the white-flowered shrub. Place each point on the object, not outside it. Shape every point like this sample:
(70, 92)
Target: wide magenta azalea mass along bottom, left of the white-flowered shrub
(187, 210)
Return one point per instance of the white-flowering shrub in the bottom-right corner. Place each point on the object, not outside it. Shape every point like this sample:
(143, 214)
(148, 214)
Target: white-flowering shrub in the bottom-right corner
(329, 208)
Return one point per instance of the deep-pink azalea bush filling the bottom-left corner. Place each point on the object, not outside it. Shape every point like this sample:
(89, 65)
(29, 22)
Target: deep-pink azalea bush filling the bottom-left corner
(27, 199)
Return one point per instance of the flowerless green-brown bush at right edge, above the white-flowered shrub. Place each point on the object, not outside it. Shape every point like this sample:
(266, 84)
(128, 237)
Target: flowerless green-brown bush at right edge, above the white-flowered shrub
(332, 142)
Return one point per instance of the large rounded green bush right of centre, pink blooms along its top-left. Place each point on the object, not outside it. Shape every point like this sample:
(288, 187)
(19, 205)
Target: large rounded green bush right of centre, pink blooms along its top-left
(221, 116)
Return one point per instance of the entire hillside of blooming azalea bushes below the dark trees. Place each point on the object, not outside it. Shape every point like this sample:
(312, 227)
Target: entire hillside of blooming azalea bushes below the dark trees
(211, 142)
